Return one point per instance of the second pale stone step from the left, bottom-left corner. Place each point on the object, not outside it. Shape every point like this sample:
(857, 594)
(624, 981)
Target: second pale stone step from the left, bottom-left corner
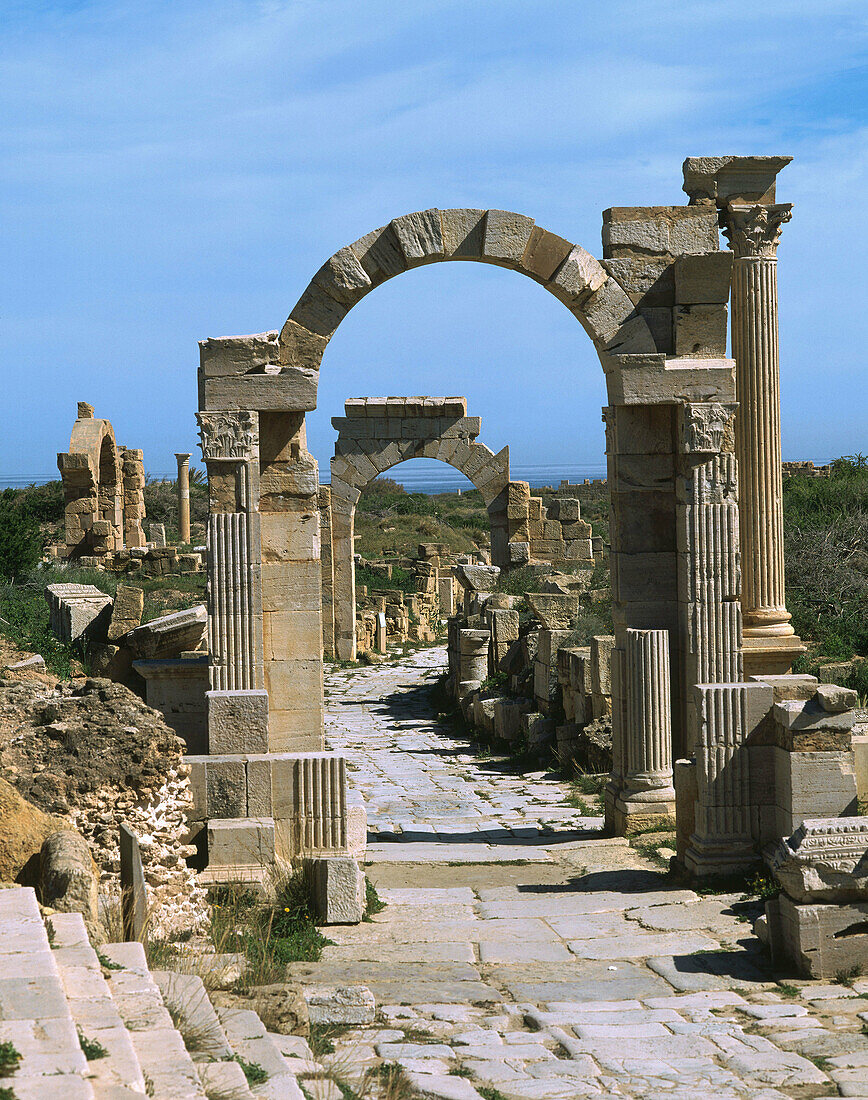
(95, 1014)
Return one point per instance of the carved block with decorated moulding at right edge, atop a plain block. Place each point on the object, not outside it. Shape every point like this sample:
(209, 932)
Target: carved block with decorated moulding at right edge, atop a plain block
(825, 861)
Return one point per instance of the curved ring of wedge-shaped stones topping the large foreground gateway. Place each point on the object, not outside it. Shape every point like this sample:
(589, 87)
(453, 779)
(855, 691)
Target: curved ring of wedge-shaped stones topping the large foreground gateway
(493, 237)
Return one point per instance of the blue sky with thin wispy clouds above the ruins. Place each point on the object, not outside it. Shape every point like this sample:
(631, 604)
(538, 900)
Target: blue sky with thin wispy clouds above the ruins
(174, 171)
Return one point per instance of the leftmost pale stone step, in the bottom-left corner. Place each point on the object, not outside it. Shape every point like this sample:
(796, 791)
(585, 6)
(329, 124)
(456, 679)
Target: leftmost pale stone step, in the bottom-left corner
(35, 1015)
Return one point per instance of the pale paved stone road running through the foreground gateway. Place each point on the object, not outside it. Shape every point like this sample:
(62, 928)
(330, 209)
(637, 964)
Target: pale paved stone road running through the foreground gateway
(523, 955)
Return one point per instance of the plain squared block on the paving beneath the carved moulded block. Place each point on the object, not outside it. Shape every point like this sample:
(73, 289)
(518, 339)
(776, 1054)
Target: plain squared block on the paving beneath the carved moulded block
(821, 941)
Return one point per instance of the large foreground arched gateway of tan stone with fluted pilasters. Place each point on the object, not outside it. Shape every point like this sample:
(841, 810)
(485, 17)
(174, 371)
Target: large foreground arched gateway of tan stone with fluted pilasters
(656, 312)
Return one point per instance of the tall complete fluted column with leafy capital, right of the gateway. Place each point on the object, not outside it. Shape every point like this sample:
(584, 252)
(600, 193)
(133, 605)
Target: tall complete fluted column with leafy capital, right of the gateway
(754, 233)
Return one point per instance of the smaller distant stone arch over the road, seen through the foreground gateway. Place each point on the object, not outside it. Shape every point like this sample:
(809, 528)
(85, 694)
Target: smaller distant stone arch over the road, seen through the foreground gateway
(379, 434)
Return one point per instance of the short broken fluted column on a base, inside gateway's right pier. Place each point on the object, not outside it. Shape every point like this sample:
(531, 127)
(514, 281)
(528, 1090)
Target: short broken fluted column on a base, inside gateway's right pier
(647, 794)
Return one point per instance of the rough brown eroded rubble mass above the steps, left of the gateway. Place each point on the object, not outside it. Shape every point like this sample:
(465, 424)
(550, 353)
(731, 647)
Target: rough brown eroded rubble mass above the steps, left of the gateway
(93, 753)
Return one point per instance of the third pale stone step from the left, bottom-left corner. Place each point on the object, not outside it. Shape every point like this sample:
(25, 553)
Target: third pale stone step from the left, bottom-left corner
(169, 1071)
